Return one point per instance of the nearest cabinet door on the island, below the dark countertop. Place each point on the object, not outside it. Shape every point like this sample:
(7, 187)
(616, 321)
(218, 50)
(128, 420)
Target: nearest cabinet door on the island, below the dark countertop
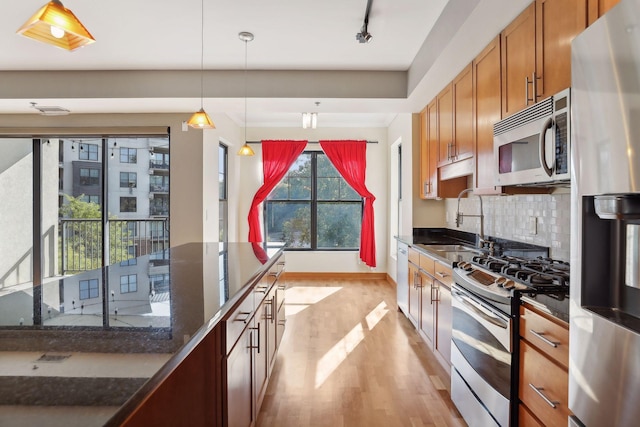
(239, 382)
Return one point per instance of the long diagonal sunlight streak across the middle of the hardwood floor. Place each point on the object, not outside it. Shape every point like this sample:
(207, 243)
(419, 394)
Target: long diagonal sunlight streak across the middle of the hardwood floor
(339, 352)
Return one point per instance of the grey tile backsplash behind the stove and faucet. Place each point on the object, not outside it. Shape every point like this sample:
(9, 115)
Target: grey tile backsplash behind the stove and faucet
(540, 219)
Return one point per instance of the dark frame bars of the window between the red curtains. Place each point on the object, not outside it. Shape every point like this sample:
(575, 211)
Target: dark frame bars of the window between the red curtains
(313, 203)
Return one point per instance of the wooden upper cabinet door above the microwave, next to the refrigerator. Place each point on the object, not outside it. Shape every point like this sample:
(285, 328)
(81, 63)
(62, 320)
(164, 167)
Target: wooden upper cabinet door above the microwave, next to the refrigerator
(557, 23)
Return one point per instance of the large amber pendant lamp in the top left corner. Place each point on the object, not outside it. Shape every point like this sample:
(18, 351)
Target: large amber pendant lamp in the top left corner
(56, 25)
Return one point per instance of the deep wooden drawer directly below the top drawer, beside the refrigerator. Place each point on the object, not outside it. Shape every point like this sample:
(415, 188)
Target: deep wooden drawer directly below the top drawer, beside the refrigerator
(543, 387)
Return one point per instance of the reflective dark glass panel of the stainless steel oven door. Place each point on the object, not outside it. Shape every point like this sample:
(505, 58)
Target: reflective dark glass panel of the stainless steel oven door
(482, 349)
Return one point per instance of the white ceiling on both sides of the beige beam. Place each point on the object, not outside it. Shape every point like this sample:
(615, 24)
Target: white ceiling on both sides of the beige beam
(289, 35)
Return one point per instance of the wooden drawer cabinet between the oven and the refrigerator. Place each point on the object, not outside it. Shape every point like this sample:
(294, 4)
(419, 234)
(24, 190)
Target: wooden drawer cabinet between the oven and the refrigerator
(543, 386)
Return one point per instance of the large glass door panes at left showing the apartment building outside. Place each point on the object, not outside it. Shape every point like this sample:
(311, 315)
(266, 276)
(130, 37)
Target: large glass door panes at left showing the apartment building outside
(76, 184)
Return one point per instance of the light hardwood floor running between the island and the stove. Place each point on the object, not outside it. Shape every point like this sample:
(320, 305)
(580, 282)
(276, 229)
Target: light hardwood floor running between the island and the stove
(350, 358)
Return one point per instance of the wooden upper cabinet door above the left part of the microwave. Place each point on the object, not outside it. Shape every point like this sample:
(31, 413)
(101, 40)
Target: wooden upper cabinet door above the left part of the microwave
(518, 62)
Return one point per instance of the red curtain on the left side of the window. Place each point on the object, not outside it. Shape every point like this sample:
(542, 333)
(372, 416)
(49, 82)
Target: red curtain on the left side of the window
(277, 158)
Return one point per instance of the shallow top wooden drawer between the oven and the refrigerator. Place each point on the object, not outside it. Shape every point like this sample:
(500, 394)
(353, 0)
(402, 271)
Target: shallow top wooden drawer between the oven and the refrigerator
(550, 336)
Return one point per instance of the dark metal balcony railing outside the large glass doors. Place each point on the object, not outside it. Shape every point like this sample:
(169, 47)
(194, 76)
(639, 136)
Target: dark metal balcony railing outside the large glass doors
(81, 241)
